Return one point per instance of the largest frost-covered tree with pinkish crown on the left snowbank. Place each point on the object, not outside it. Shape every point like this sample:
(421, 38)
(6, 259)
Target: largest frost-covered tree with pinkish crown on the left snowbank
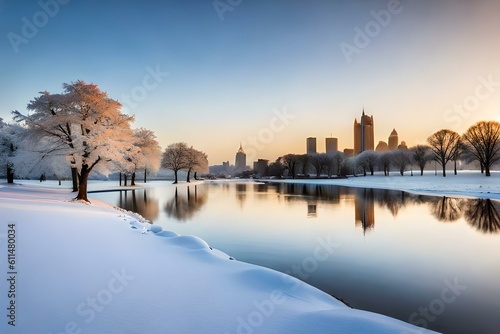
(85, 125)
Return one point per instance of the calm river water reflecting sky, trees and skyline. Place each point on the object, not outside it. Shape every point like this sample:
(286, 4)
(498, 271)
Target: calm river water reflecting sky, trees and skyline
(431, 261)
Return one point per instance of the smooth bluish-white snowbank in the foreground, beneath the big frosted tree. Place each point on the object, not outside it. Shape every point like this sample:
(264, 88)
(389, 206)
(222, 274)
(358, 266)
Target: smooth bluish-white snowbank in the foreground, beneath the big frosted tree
(92, 268)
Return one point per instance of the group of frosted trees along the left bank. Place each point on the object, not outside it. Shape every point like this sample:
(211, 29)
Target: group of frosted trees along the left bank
(82, 130)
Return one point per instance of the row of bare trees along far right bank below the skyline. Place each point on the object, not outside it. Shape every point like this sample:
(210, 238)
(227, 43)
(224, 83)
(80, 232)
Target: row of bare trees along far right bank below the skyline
(480, 143)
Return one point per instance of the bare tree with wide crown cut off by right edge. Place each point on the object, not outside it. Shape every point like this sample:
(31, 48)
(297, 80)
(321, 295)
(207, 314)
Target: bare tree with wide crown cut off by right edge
(482, 140)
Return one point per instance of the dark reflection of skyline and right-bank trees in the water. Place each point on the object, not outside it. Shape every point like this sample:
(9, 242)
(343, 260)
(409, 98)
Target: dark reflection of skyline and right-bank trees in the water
(483, 214)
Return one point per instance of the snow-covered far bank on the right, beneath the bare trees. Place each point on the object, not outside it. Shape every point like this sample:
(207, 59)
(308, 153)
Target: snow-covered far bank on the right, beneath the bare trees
(464, 184)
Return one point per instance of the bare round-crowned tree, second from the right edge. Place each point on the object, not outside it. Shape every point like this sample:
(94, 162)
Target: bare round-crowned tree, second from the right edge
(444, 144)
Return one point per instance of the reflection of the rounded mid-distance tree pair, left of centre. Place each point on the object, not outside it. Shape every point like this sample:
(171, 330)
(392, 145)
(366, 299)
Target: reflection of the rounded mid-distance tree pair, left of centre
(183, 206)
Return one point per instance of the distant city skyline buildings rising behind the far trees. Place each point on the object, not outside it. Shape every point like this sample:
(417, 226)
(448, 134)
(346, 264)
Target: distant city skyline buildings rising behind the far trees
(364, 139)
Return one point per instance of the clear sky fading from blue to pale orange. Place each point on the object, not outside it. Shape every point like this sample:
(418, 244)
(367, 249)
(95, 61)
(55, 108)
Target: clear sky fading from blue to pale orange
(264, 73)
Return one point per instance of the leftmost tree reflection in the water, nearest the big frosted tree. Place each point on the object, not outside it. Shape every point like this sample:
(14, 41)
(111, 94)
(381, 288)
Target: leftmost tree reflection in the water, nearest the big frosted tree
(143, 205)
